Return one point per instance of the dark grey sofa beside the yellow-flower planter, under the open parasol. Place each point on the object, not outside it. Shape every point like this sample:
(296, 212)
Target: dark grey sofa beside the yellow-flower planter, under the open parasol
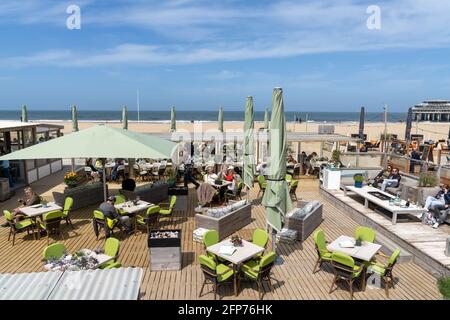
(83, 196)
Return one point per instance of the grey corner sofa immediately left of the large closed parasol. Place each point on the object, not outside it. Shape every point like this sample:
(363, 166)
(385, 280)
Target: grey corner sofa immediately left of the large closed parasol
(227, 224)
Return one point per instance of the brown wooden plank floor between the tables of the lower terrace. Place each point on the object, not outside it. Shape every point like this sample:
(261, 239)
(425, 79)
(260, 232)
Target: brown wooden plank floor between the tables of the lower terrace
(294, 275)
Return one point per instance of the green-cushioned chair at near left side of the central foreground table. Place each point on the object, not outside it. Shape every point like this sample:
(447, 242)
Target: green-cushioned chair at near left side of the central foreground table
(216, 274)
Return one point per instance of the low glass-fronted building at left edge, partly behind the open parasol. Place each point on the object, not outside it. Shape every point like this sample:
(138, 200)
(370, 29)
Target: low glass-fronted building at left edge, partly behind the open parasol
(16, 135)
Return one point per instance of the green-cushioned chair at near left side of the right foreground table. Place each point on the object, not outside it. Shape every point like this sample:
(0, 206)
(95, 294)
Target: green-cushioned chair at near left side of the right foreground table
(344, 268)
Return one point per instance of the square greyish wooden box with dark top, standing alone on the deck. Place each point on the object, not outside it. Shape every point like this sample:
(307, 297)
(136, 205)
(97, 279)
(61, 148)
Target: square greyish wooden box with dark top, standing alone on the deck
(165, 253)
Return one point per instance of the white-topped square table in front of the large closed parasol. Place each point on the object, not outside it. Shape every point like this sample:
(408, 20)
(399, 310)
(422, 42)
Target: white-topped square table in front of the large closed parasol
(242, 253)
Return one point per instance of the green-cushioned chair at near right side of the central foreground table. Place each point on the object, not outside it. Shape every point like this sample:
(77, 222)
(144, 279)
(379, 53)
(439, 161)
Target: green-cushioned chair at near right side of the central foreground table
(259, 271)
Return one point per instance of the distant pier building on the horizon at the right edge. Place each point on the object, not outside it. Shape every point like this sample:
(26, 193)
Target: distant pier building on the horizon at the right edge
(432, 110)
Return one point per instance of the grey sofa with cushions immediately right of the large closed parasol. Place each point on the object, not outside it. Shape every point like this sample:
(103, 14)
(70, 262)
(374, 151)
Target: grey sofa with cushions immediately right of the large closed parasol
(308, 223)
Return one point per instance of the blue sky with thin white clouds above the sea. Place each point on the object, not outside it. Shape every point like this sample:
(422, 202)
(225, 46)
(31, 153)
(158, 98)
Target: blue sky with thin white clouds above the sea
(199, 54)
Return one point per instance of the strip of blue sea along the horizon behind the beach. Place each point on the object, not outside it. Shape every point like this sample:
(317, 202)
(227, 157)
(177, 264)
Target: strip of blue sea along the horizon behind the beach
(190, 116)
